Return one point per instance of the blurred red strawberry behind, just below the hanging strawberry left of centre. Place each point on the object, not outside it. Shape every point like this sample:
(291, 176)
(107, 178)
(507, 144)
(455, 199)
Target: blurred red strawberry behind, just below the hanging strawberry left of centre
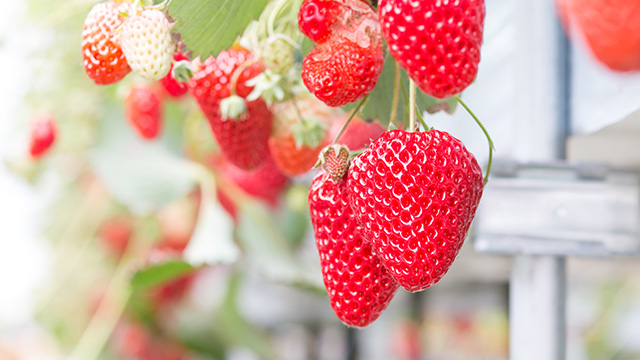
(265, 183)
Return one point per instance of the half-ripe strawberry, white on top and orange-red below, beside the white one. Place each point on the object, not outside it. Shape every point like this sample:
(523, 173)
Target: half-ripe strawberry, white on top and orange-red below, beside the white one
(102, 56)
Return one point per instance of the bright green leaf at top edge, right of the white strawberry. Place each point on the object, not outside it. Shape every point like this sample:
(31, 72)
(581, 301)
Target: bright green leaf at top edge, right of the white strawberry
(208, 26)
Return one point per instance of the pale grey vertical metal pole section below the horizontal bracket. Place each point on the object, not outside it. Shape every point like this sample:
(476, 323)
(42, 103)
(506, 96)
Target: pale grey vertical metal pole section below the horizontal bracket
(537, 309)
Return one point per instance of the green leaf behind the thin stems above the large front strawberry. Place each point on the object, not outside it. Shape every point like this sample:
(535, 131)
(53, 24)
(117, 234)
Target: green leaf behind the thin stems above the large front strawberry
(378, 106)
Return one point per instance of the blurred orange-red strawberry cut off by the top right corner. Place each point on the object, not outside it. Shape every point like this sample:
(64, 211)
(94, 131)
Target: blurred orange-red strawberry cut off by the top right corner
(611, 29)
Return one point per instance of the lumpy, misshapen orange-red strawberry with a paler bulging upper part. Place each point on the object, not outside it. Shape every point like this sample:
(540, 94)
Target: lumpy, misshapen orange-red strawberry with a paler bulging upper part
(345, 67)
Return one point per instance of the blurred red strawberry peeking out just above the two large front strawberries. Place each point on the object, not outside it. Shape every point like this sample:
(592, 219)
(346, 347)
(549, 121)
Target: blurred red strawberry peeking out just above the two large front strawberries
(358, 134)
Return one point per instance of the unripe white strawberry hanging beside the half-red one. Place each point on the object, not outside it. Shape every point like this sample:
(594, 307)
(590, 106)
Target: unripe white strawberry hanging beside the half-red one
(146, 42)
